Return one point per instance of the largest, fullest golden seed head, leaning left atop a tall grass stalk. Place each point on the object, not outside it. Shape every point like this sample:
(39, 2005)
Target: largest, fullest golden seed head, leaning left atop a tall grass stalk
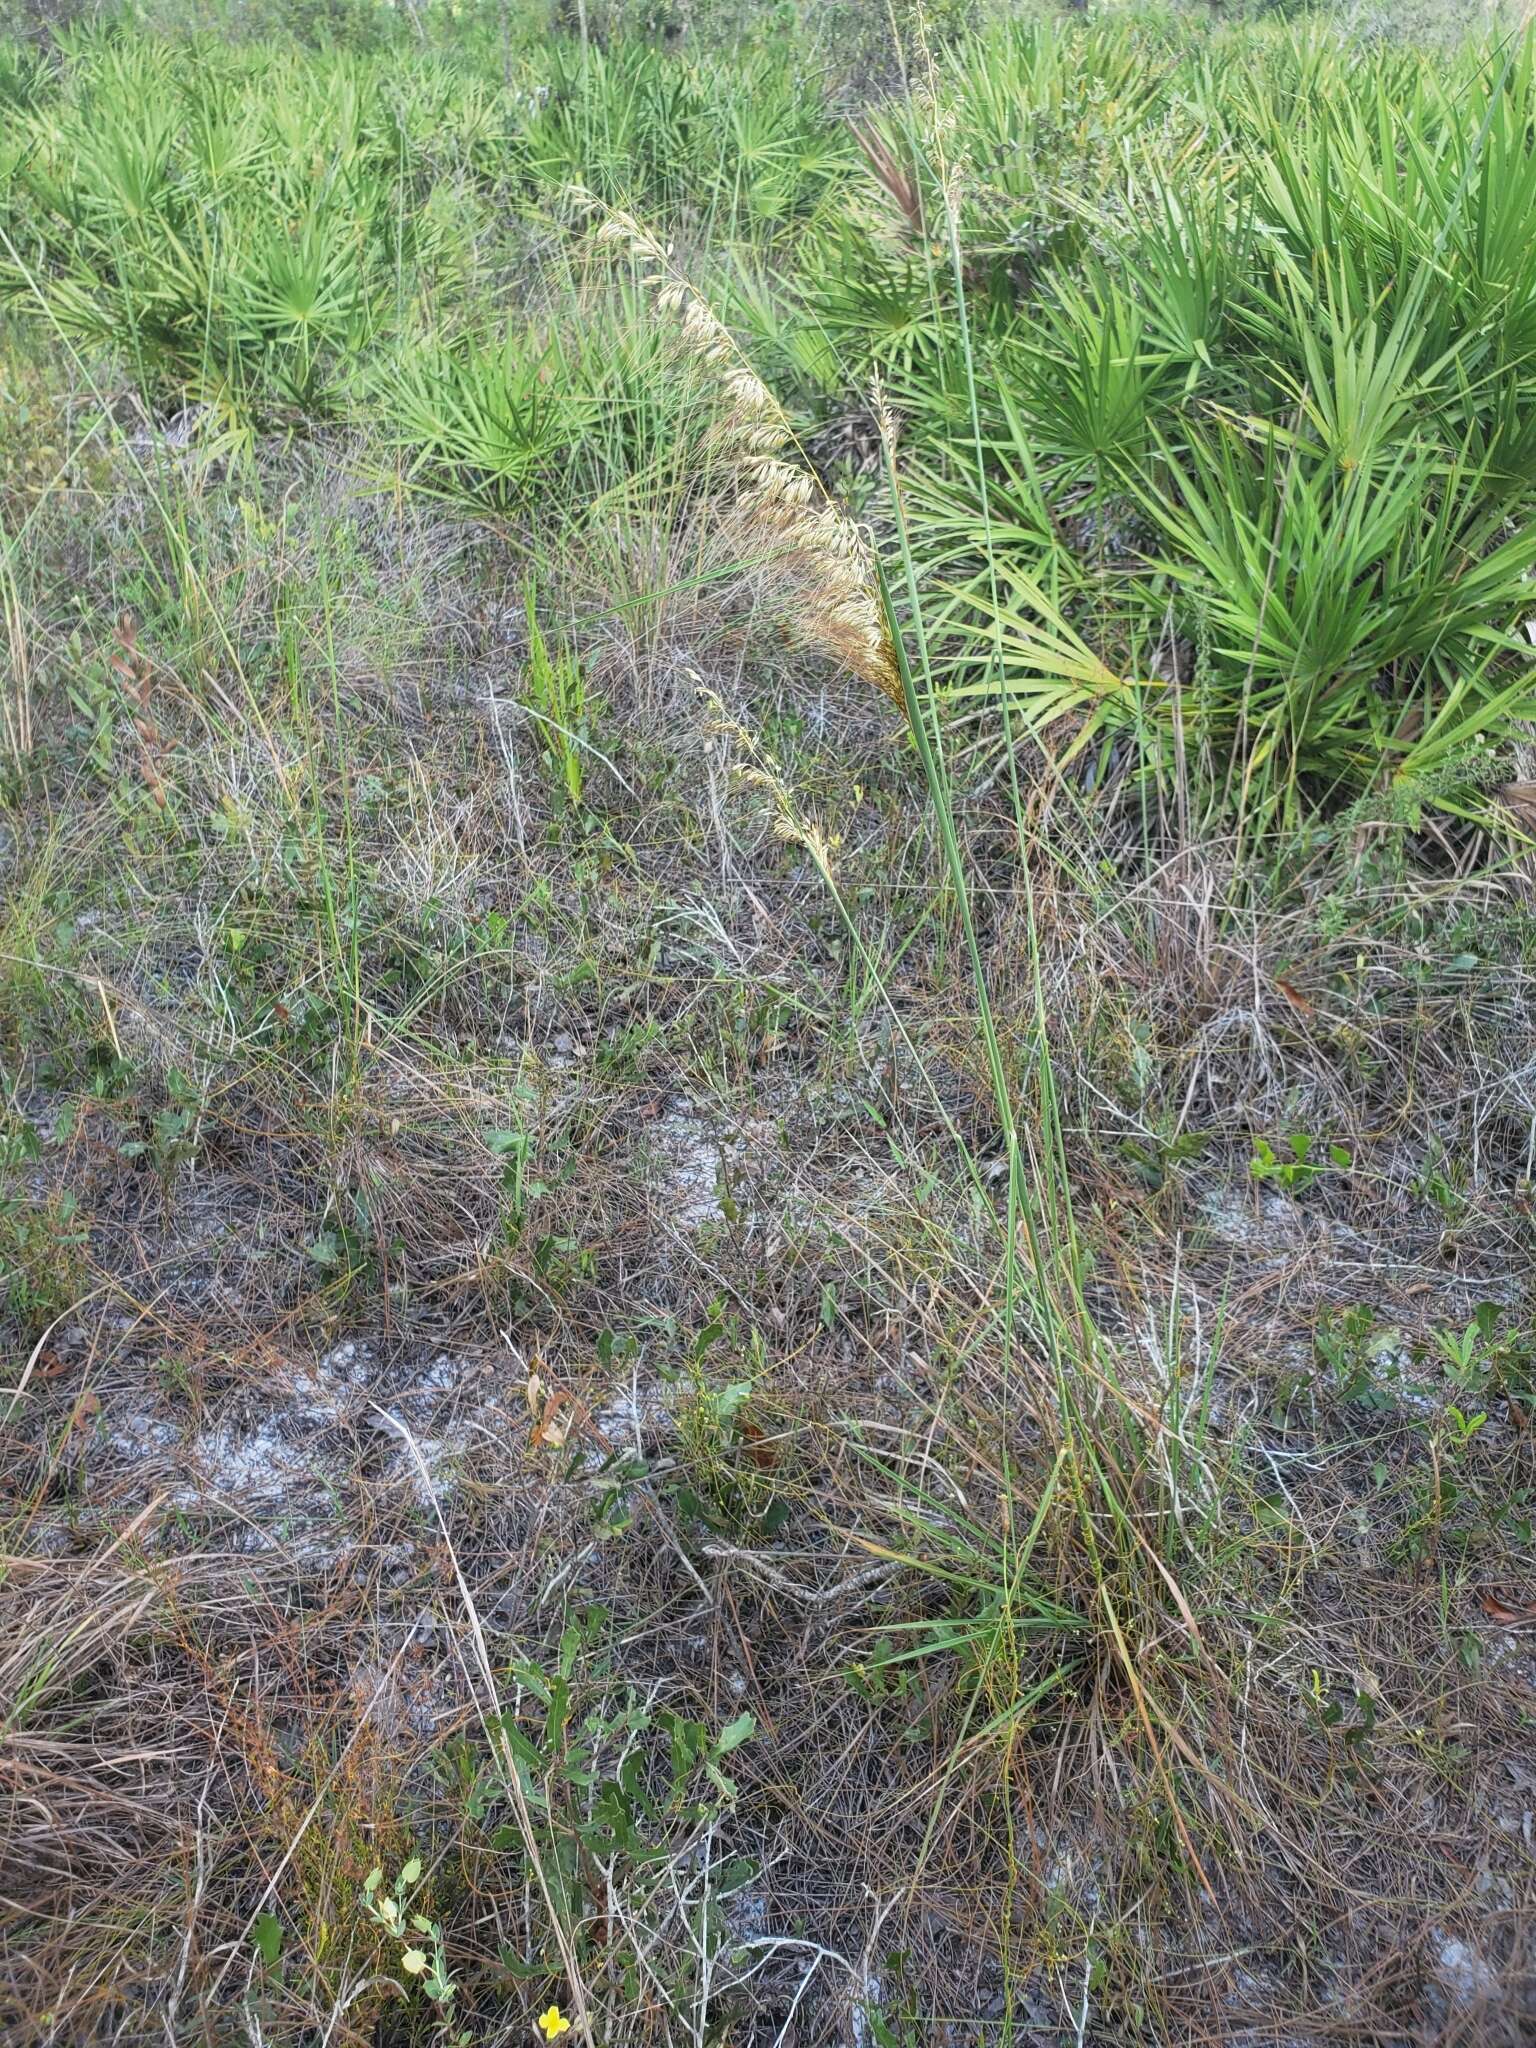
(816, 544)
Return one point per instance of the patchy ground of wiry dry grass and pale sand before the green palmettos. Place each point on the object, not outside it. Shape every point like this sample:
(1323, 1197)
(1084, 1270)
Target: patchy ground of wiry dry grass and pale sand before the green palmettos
(286, 1037)
